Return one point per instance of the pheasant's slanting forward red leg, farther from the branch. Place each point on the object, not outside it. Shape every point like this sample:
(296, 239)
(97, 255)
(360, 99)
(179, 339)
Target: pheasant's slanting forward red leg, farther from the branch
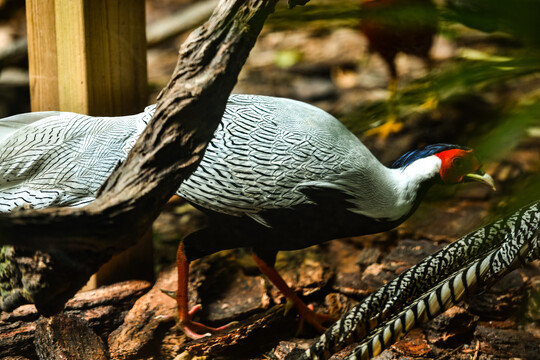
(306, 313)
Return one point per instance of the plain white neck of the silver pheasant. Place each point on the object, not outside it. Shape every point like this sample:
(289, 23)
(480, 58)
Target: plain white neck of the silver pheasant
(394, 192)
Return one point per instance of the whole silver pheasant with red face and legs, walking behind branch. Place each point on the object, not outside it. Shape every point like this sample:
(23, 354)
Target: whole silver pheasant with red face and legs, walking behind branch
(278, 175)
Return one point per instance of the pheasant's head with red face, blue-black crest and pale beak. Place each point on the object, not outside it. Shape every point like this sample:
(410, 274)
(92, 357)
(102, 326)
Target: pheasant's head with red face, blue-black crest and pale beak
(457, 163)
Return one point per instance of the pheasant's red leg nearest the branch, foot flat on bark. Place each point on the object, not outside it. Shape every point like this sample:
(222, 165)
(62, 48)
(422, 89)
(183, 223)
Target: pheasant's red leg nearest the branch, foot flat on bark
(192, 329)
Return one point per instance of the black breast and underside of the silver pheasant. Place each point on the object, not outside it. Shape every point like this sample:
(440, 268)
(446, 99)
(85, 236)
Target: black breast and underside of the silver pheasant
(289, 228)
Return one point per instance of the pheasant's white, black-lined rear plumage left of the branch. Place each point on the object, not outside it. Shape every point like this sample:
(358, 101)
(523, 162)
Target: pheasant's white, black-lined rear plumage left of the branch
(58, 158)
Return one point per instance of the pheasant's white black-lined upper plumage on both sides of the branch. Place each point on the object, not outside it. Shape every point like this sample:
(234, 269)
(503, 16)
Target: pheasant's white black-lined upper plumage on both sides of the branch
(265, 152)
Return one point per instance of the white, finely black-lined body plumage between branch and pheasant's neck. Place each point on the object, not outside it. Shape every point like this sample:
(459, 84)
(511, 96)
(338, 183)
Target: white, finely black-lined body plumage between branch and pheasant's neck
(263, 152)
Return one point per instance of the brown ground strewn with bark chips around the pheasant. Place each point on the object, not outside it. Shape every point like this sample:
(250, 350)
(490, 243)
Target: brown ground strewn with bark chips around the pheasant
(328, 68)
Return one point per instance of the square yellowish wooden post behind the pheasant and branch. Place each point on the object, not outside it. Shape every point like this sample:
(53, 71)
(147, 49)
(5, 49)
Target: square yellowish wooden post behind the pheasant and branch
(89, 56)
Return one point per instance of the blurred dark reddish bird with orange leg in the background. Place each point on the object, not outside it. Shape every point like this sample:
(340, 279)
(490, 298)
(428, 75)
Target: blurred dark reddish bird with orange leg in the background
(394, 26)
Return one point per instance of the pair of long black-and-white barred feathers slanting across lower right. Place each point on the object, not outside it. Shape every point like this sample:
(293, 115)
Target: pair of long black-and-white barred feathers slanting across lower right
(434, 285)
